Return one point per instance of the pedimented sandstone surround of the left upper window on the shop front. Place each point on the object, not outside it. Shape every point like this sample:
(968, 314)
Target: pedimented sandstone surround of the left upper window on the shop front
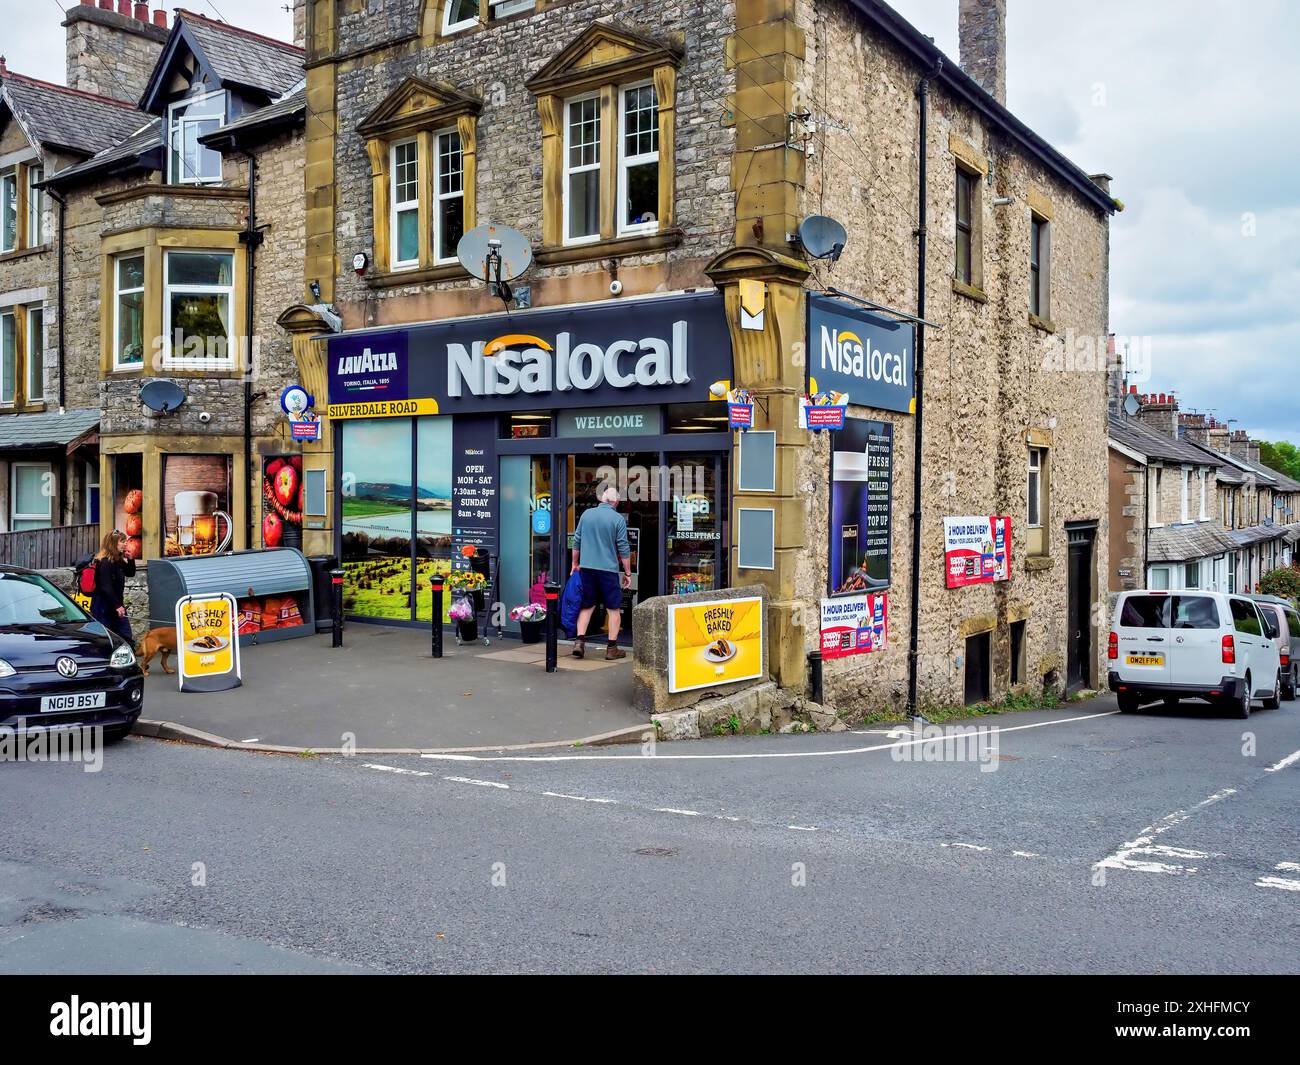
(389, 125)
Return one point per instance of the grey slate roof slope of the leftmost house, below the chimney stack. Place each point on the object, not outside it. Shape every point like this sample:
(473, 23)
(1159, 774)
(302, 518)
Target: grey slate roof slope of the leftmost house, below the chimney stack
(68, 119)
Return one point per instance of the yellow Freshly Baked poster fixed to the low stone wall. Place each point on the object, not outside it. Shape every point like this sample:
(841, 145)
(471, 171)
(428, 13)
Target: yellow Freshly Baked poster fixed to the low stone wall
(714, 643)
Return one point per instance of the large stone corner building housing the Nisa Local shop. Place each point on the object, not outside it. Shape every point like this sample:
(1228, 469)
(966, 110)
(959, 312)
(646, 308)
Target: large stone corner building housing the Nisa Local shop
(660, 161)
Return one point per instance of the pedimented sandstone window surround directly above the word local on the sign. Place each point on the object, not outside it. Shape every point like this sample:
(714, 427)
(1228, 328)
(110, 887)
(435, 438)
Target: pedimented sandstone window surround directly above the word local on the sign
(642, 60)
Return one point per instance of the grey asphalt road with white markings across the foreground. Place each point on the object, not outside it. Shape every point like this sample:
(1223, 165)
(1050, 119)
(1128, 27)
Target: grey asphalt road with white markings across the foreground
(1097, 845)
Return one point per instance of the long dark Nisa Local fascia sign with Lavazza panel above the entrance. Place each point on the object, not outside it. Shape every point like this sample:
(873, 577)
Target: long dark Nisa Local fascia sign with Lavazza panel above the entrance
(621, 353)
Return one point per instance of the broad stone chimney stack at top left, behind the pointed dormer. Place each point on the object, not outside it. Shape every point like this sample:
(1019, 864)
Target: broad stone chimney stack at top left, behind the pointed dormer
(112, 49)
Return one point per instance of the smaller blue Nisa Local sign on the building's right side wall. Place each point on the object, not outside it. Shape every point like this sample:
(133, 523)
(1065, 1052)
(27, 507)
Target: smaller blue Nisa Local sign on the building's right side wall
(869, 357)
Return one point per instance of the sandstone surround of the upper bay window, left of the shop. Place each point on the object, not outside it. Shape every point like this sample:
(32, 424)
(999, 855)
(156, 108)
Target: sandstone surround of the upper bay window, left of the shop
(155, 243)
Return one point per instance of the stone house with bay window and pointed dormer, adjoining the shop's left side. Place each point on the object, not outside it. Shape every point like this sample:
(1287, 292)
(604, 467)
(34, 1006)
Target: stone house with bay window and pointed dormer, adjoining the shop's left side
(189, 244)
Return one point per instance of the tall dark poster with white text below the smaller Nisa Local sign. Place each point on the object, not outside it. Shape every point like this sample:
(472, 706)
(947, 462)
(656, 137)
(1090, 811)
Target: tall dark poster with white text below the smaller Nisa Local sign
(861, 508)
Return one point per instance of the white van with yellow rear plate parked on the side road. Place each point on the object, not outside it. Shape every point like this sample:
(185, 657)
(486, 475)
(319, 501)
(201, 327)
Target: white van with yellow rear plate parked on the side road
(1171, 646)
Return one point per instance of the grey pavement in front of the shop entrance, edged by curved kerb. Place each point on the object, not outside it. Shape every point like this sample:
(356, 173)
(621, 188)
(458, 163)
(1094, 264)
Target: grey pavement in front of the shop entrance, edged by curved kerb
(384, 691)
